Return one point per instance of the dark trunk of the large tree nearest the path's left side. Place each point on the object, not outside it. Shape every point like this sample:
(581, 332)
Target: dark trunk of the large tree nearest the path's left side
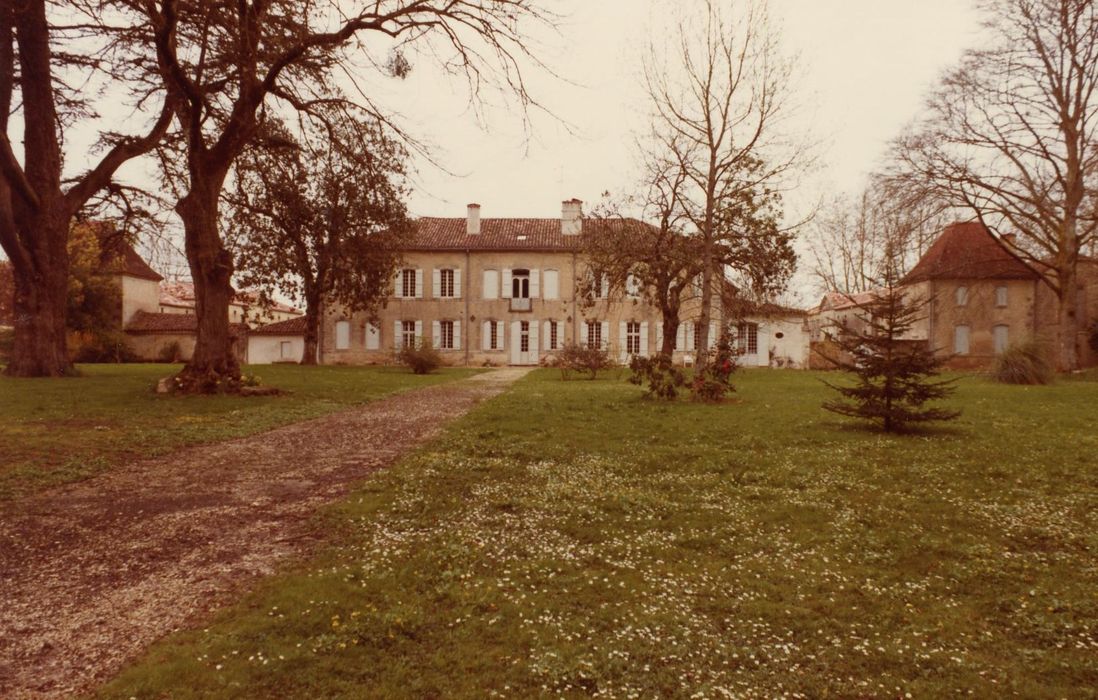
(215, 367)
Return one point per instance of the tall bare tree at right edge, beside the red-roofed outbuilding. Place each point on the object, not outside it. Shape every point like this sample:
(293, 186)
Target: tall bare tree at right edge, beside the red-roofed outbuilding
(1012, 136)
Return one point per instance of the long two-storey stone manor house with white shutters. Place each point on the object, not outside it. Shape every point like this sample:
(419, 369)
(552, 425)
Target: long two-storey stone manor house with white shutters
(506, 291)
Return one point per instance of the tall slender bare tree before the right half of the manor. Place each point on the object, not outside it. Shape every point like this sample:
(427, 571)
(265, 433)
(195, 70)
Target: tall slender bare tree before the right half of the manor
(720, 97)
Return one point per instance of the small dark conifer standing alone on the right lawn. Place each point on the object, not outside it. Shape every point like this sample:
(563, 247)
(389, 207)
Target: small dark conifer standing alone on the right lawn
(895, 374)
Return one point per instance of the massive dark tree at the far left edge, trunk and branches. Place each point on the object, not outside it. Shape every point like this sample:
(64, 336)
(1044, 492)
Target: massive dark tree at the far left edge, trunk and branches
(39, 62)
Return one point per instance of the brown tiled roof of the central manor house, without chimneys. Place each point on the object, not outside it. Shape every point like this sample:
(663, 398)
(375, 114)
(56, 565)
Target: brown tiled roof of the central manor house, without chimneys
(497, 234)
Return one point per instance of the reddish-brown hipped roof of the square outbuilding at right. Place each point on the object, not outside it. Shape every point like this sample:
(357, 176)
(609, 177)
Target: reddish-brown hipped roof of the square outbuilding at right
(969, 252)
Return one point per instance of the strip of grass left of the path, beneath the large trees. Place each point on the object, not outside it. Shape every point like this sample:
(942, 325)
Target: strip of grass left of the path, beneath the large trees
(61, 431)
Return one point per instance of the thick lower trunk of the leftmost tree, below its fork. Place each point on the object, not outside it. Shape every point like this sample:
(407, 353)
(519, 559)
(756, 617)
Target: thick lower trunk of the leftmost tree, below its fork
(40, 347)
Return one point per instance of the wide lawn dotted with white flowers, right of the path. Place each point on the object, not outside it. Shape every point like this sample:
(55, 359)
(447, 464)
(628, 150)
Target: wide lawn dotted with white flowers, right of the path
(573, 539)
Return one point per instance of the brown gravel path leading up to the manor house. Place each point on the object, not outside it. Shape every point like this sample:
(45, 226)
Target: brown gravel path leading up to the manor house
(92, 573)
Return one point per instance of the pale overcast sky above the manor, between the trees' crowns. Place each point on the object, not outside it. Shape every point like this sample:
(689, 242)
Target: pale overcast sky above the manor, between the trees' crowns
(865, 65)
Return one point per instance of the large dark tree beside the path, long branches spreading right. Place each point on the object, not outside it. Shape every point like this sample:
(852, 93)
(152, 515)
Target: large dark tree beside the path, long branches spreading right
(222, 64)
